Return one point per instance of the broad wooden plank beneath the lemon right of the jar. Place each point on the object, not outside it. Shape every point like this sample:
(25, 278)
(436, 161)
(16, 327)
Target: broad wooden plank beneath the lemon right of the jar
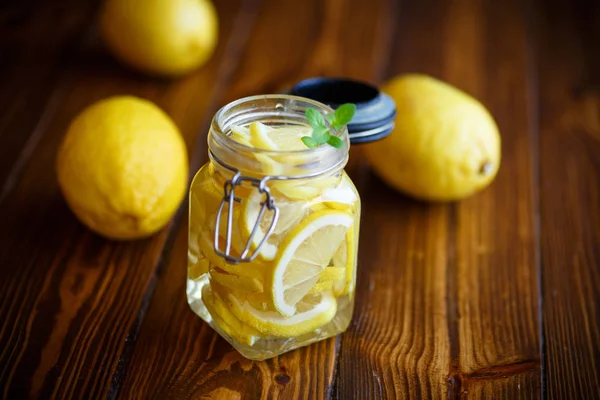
(475, 287)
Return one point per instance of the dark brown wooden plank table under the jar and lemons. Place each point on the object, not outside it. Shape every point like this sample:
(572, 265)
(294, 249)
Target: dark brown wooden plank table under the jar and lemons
(497, 296)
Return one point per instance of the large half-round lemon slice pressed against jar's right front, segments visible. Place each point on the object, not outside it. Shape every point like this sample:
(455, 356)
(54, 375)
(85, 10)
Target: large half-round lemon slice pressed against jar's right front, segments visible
(306, 251)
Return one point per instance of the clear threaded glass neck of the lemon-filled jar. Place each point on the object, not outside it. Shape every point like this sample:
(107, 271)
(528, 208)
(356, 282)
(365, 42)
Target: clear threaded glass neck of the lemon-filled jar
(274, 110)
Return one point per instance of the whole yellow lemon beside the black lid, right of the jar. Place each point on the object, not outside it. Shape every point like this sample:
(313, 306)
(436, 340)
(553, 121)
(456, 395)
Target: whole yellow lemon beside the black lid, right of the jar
(445, 145)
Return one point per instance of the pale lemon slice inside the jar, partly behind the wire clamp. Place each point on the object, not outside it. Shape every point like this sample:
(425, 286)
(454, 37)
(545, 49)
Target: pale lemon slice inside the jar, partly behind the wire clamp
(289, 214)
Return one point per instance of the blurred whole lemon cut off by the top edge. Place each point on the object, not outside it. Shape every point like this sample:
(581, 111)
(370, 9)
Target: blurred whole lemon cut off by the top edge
(162, 37)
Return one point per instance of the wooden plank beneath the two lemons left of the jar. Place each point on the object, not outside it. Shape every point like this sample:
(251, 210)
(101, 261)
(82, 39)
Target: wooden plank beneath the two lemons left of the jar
(69, 300)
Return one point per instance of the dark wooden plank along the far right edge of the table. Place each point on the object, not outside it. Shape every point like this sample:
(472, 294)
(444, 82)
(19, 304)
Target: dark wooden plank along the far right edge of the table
(568, 67)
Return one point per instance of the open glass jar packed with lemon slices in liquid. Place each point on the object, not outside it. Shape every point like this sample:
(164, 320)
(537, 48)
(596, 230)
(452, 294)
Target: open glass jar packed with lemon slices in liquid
(273, 234)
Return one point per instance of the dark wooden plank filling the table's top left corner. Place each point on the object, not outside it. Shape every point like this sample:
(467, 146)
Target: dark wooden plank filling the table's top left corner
(38, 41)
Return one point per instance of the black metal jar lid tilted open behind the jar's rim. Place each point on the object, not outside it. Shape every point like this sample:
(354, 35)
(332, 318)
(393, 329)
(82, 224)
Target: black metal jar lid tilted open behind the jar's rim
(375, 111)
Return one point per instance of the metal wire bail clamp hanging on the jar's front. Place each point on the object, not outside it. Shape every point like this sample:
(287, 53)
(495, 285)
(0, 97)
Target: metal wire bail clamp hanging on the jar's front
(229, 197)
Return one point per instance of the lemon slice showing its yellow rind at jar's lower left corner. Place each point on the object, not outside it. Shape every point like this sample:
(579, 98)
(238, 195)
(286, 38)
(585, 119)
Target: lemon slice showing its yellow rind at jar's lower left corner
(225, 320)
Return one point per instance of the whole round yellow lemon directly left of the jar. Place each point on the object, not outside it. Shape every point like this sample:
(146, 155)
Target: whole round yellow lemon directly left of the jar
(123, 168)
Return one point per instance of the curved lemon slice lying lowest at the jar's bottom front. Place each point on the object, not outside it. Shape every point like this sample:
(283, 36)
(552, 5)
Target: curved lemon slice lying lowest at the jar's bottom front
(314, 311)
